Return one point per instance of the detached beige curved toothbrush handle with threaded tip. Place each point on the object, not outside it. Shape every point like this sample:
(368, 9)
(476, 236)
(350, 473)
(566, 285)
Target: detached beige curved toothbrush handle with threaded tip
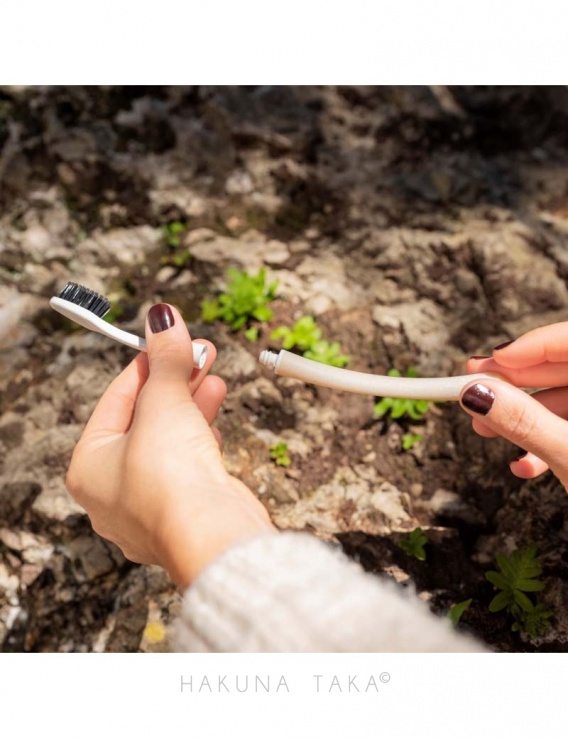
(287, 364)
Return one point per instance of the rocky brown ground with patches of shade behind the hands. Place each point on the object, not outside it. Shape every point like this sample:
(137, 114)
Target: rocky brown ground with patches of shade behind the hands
(417, 225)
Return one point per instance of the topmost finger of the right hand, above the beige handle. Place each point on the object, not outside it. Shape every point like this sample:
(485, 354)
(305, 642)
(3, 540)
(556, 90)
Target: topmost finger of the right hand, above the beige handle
(548, 343)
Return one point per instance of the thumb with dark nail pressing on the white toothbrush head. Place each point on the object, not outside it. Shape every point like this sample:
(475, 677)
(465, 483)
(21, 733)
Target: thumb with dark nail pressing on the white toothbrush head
(170, 352)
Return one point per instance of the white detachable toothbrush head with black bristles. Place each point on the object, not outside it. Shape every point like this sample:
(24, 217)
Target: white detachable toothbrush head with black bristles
(87, 308)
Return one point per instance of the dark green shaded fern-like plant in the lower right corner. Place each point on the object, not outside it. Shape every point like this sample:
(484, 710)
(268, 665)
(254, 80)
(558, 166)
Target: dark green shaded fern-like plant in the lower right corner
(517, 575)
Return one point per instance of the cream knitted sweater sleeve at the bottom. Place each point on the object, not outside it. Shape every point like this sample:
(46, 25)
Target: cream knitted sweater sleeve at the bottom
(293, 593)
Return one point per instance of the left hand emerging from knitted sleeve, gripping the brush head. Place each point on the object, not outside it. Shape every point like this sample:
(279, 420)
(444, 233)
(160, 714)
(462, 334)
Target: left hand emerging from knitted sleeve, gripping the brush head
(148, 468)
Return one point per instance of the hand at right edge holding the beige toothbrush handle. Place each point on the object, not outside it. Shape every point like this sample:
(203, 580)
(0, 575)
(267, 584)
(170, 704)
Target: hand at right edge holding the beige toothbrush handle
(537, 422)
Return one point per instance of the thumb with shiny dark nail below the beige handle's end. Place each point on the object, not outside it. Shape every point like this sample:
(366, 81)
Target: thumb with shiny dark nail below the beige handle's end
(515, 415)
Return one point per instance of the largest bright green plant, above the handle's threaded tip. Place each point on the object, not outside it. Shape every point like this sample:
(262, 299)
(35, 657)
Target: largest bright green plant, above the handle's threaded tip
(246, 298)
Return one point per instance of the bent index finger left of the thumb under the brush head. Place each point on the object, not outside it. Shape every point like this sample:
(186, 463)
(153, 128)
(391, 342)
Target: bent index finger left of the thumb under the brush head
(114, 411)
